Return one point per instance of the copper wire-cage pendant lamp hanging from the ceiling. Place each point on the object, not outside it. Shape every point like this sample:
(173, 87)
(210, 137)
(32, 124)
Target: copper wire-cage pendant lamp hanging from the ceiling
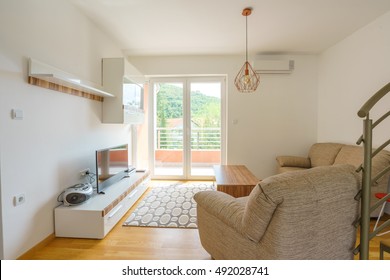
(247, 79)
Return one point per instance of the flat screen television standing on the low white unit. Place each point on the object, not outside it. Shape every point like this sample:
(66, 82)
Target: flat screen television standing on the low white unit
(112, 165)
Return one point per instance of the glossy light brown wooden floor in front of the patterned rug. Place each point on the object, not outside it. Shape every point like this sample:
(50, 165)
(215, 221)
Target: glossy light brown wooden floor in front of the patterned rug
(142, 243)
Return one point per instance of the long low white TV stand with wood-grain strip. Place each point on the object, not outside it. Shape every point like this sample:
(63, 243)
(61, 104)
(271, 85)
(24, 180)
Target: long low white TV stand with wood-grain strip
(98, 215)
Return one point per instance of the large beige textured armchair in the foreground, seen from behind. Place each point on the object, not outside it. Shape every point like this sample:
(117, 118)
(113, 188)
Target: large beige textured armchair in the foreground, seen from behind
(295, 215)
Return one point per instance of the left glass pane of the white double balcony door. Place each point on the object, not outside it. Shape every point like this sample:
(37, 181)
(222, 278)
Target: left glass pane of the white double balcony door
(169, 126)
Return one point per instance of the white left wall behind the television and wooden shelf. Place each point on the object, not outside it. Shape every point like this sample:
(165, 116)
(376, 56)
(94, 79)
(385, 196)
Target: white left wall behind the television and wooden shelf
(43, 153)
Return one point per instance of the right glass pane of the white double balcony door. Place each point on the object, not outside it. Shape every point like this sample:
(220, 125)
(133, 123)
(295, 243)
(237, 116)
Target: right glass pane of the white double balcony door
(205, 127)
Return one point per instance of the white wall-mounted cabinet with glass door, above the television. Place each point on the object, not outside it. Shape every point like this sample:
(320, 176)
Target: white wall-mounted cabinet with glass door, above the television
(125, 82)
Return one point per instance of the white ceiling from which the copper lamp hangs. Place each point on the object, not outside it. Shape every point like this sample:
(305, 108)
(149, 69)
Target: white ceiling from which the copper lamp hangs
(209, 27)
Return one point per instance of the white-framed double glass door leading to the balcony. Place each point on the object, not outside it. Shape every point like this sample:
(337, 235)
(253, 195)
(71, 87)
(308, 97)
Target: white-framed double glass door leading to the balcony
(188, 127)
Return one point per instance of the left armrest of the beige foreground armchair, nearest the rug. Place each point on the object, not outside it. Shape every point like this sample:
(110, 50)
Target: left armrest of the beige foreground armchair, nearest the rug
(224, 207)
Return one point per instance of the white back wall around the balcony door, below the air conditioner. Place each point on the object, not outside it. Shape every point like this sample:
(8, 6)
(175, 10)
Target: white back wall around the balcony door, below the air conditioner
(280, 118)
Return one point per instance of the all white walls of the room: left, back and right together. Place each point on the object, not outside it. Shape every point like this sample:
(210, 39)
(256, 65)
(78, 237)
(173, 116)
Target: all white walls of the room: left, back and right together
(42, 154)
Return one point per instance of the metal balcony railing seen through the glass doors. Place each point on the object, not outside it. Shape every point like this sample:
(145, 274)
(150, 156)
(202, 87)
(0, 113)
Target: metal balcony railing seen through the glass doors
(201, 138)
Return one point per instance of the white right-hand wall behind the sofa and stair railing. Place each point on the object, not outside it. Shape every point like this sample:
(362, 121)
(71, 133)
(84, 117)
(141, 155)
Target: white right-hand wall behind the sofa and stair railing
(350, 72)
